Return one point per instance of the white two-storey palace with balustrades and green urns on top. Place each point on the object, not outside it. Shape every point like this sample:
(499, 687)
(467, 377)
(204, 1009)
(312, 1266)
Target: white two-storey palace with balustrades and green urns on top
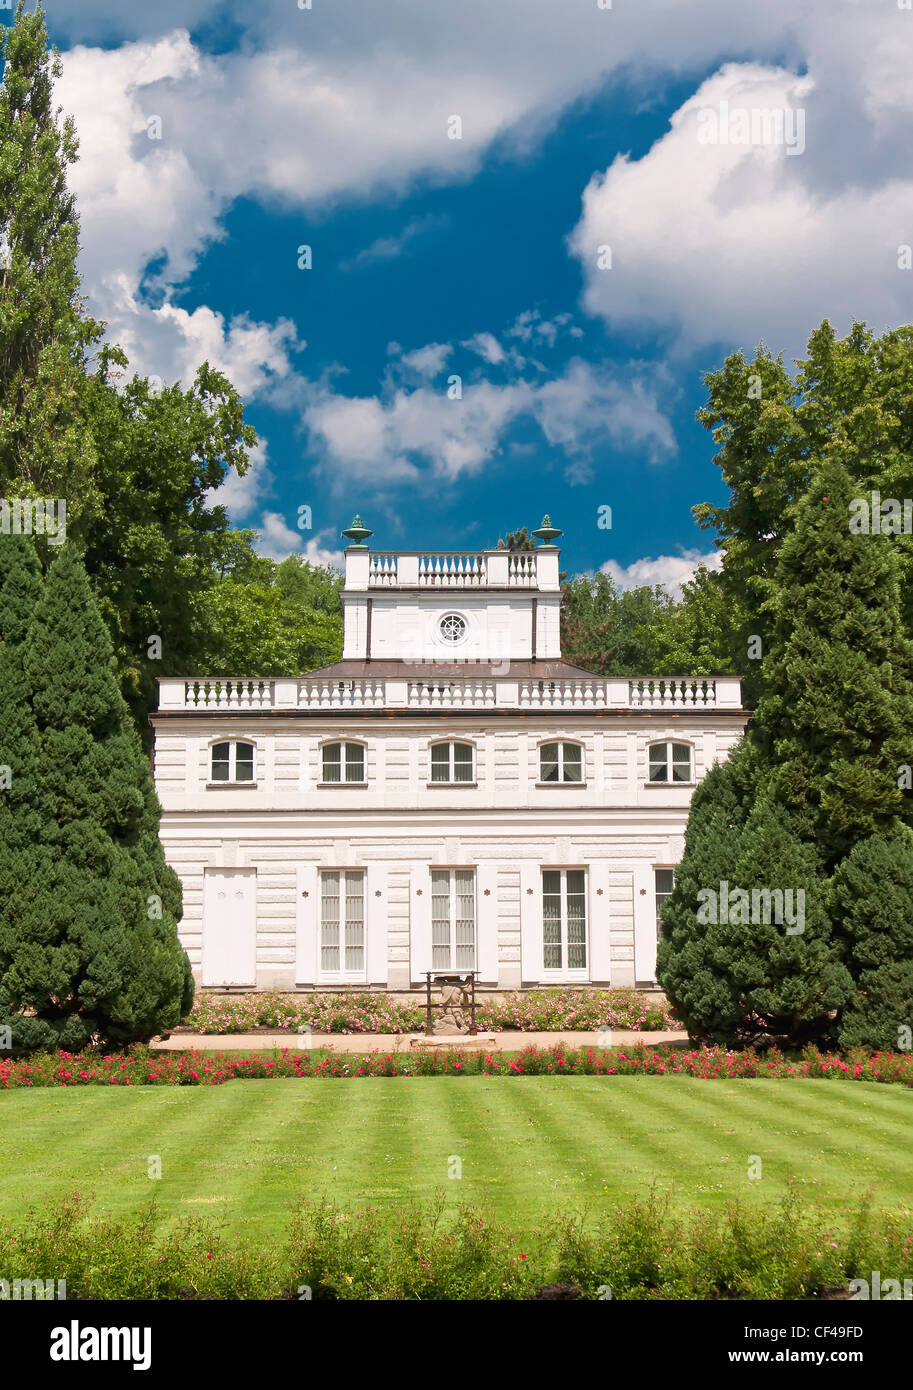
(451, 796)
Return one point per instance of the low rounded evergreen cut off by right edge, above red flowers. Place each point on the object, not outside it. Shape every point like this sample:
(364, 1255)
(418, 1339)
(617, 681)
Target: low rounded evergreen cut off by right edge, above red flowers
(872, 904)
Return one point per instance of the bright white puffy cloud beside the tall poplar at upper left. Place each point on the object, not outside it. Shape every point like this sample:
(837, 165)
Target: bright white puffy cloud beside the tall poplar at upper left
(142, 199)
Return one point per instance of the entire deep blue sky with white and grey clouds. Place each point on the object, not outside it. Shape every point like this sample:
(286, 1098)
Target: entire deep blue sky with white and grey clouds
(532, 227)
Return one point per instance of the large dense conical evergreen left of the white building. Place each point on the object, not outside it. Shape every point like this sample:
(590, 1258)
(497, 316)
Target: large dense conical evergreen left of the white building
(88, 907)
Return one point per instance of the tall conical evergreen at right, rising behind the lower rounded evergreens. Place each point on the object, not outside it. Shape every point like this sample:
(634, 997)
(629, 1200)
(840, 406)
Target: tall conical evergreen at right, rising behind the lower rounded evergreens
(836, 714)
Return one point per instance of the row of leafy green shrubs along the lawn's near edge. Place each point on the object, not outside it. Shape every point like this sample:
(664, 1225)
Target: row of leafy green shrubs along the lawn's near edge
(639, 1250)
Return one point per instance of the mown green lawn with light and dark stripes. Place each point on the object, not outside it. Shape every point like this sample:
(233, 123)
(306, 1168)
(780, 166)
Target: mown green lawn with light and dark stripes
(532, 1147)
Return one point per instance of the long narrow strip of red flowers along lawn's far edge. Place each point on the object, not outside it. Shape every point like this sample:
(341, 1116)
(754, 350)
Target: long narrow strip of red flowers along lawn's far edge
(144, 1068)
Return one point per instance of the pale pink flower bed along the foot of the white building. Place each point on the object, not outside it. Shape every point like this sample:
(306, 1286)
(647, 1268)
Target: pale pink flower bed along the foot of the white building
(537, 1011)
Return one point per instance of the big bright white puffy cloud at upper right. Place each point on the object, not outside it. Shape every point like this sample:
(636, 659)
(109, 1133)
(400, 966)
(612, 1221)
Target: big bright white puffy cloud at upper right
(739, 241)
